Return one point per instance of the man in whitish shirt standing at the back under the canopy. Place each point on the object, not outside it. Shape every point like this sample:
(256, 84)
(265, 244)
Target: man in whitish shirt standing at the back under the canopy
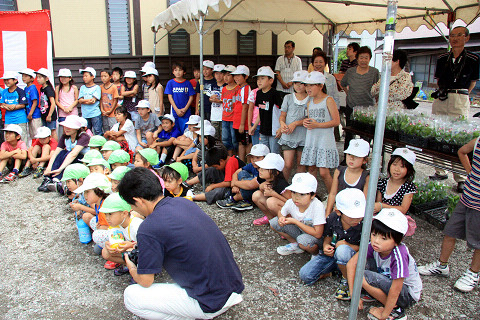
(286, 66)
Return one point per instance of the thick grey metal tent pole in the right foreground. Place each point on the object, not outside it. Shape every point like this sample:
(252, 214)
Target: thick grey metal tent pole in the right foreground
(377, 154)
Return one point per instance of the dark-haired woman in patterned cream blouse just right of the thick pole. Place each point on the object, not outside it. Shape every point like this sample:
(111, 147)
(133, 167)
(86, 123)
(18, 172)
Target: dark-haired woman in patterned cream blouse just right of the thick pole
(401, 84)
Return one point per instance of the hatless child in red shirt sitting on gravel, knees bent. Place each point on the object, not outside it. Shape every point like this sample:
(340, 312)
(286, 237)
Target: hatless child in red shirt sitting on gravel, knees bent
(219, 173)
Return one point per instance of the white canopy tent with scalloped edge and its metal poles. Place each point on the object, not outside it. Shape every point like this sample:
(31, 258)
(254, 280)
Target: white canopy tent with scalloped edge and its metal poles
(206, 16)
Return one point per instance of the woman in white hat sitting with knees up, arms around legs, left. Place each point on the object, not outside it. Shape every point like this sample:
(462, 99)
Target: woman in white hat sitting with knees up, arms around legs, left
(70, 148)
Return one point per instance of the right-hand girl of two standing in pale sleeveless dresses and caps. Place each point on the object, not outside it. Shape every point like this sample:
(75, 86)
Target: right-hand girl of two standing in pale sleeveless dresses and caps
(322, 116)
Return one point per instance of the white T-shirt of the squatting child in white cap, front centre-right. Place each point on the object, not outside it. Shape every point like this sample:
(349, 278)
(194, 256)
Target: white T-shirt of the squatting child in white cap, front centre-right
(313, 216)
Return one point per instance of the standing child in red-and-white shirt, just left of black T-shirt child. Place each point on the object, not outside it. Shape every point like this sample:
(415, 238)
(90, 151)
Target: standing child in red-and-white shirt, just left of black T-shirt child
(240, 110)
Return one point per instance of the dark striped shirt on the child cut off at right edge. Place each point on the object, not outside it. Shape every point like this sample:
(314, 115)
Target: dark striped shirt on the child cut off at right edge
(471, 189)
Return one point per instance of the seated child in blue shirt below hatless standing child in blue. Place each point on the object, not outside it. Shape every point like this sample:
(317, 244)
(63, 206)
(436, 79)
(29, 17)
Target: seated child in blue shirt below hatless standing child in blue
(166, 134)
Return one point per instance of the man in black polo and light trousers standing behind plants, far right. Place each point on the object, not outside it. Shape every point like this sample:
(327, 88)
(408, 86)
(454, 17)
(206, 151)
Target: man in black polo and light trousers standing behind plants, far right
(456, 73)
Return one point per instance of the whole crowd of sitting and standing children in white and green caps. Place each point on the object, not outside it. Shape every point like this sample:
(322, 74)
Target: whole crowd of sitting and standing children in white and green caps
(123, 125)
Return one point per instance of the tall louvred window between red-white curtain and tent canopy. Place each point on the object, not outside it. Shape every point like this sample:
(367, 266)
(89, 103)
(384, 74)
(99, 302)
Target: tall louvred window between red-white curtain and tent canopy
(119, 26)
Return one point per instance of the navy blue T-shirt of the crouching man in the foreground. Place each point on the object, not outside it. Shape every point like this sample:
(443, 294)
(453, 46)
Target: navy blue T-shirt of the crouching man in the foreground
(198, 259)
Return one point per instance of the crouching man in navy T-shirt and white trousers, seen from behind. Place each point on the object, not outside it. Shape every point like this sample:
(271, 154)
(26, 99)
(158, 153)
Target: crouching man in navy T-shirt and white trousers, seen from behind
(178, 236)
